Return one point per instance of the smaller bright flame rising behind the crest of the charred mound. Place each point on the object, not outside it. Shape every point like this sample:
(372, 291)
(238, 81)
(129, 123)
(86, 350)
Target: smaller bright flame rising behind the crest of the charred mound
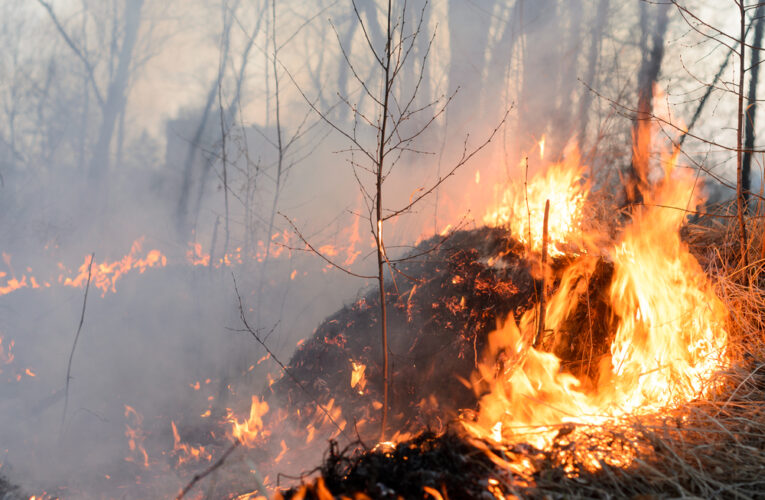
(522, 206)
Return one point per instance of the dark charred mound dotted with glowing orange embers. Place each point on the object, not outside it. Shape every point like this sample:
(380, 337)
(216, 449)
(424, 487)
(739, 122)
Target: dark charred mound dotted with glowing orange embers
(448, 296)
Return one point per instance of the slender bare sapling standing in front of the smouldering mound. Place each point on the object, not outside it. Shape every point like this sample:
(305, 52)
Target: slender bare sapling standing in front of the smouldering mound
(381, 135)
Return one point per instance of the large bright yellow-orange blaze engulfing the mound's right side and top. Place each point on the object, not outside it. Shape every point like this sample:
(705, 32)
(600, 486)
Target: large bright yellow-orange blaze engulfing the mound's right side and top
(668, 345)
